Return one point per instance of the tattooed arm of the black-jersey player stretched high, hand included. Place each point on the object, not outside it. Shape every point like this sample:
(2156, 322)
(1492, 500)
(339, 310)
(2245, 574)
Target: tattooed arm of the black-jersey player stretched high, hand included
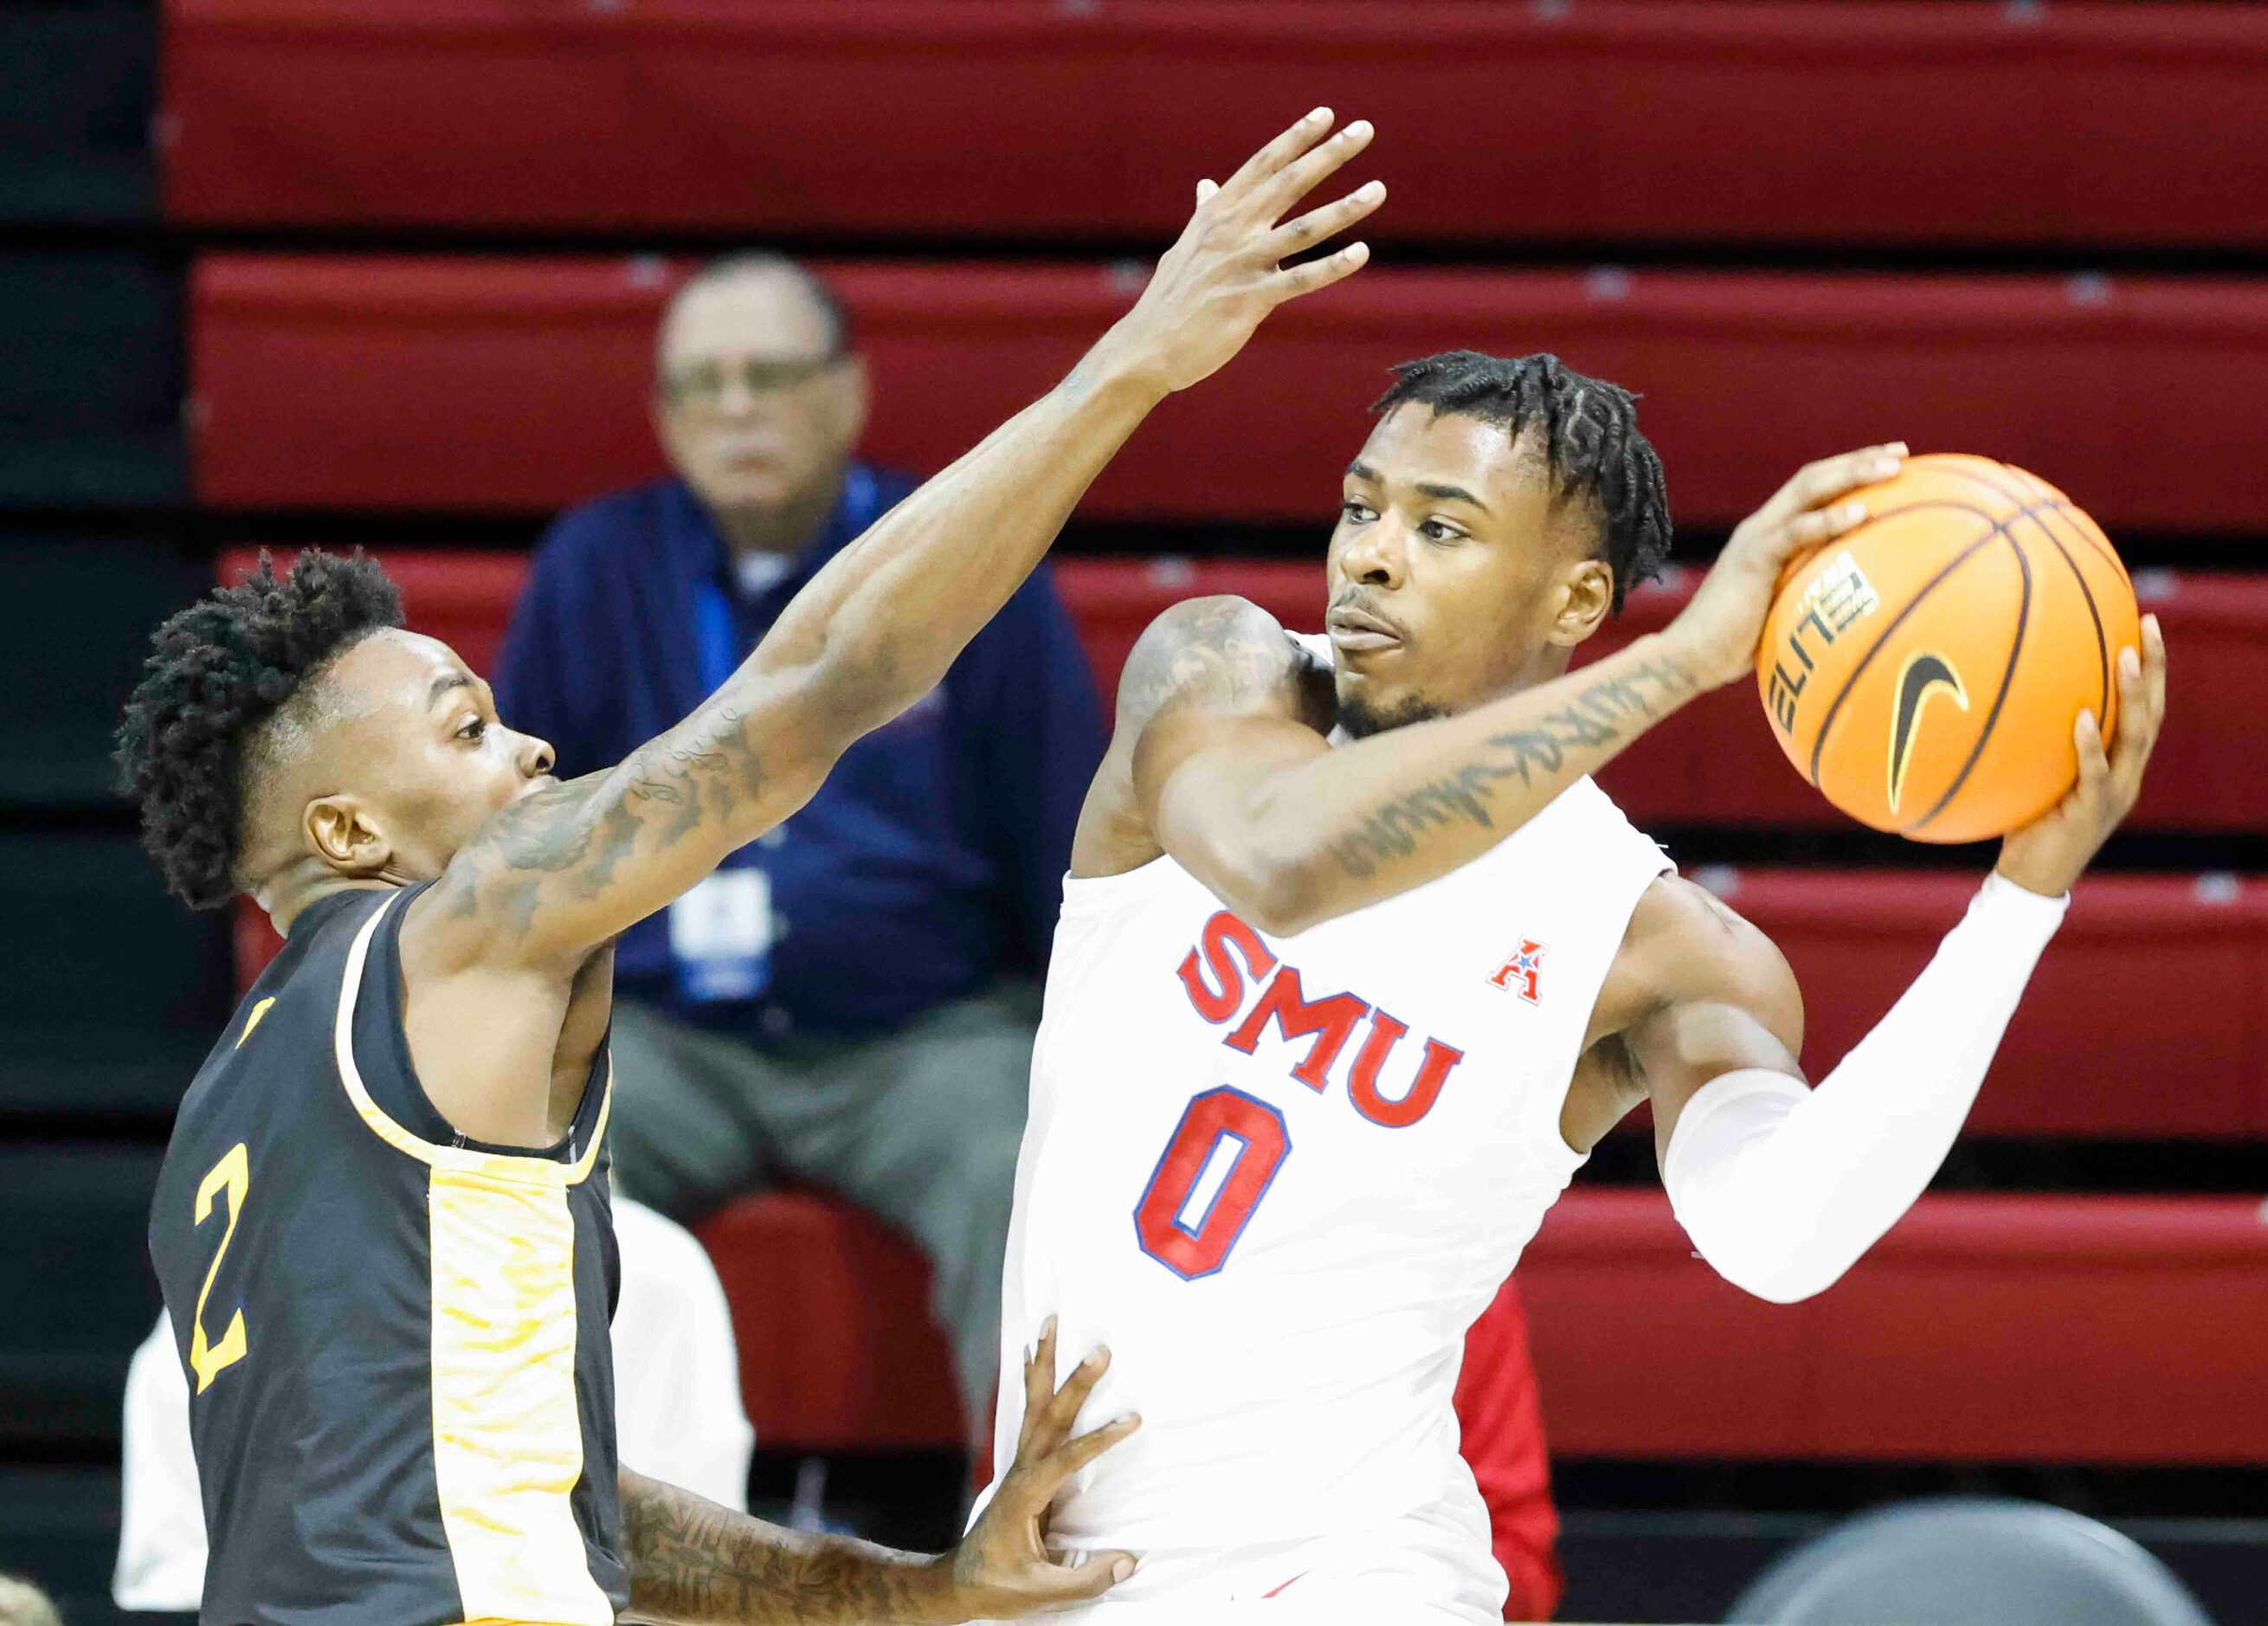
(879, 627)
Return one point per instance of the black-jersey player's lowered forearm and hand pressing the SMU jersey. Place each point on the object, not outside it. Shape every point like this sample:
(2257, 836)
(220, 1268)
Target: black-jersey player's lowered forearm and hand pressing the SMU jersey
(695, 1564)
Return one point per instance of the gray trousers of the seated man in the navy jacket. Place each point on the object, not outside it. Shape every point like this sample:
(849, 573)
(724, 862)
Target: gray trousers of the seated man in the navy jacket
(920, 1126)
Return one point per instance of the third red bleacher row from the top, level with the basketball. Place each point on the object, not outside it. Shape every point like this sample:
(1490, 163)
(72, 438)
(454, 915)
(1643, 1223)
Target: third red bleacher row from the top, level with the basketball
(1713, 763)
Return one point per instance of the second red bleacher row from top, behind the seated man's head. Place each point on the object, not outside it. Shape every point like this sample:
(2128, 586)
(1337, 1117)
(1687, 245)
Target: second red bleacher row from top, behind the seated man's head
(484, 384)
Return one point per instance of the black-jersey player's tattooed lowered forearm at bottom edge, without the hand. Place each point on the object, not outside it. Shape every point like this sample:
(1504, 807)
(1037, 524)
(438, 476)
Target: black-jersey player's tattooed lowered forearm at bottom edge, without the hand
(704, 1566)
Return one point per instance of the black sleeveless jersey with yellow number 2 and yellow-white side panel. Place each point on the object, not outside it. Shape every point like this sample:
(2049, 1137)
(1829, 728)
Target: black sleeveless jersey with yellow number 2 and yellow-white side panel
(403, 1394)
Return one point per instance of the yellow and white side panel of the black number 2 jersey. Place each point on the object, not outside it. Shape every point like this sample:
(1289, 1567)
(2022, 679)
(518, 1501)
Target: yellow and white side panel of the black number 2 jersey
(507, 1434)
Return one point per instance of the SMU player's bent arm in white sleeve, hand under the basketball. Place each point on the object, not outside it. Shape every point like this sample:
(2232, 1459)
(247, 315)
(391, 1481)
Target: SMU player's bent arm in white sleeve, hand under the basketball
(1784, 1187)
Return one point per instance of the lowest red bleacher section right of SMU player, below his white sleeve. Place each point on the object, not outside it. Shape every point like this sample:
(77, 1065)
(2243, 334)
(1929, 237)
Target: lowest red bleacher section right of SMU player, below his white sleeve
(2017, 1330)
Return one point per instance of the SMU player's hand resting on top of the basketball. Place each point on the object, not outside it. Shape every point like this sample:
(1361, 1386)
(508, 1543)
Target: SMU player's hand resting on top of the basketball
(1720, 629)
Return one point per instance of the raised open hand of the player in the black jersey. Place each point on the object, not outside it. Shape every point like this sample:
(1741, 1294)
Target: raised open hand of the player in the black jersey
(1226, 273)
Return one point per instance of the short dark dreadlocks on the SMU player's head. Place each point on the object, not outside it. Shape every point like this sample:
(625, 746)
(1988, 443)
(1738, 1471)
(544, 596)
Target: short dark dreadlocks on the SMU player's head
(1589, 430)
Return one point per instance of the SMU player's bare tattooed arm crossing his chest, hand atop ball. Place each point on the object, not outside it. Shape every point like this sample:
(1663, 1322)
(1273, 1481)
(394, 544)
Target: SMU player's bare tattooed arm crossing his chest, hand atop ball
(1292, 833)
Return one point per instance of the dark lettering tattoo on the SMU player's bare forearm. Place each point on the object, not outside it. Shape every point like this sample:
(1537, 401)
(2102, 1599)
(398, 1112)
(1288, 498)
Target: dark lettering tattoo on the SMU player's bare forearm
(1598, 715)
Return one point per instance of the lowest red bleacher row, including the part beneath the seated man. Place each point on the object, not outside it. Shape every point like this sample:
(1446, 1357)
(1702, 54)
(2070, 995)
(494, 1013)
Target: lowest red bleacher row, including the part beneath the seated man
(2033, 1330)
